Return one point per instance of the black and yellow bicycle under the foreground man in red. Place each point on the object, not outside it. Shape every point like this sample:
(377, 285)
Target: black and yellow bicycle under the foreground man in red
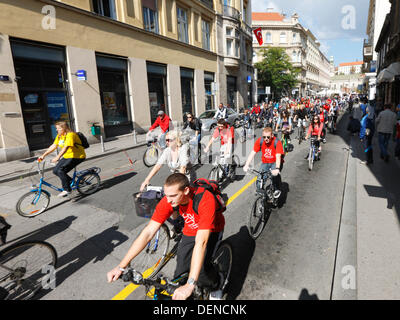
(164, 287)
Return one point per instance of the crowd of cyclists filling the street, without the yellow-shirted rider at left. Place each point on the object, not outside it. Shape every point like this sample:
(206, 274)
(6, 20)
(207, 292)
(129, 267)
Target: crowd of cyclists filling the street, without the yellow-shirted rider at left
(204, 222)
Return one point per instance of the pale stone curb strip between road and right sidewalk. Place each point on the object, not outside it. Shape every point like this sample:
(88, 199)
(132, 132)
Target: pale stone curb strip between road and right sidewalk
(345, 273)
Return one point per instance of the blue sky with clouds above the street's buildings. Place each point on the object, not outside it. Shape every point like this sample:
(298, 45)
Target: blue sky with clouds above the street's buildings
(339, 25)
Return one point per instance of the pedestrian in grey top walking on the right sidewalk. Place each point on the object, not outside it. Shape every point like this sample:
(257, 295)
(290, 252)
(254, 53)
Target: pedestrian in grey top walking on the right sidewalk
(384, 124)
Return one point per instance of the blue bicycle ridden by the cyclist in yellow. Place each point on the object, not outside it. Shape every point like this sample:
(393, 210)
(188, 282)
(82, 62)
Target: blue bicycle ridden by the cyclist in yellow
(37, 200)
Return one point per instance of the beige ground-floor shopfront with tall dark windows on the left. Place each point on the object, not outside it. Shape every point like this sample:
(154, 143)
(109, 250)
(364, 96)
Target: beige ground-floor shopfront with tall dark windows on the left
(99, 78)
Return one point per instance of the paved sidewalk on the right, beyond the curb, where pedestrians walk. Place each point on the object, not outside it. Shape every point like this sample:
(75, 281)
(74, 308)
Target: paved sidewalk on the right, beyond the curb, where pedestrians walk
(378, 224)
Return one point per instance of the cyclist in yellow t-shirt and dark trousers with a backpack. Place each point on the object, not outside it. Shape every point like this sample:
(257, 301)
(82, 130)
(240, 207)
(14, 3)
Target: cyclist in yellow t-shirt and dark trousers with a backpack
(71, 154)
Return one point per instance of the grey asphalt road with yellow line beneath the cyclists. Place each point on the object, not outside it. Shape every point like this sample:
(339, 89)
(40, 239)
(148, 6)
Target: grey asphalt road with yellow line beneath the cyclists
(293, 258)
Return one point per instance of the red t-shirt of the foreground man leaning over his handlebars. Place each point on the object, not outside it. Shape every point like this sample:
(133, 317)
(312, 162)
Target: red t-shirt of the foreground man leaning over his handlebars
(206, 219)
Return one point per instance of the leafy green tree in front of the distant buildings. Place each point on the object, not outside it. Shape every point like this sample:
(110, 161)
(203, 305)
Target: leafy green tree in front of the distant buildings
(276, 71)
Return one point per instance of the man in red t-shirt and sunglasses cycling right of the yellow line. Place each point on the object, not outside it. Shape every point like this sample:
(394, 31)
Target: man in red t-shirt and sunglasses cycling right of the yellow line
(271, 157)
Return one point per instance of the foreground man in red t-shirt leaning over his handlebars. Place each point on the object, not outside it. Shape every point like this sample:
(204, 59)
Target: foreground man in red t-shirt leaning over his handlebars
(201, 233)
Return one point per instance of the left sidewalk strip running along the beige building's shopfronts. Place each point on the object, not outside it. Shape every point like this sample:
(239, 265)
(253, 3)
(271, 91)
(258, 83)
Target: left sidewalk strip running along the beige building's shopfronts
(16, 169)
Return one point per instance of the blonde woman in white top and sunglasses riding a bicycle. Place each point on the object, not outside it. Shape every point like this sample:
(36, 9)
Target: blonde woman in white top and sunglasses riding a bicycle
(176, 156)
